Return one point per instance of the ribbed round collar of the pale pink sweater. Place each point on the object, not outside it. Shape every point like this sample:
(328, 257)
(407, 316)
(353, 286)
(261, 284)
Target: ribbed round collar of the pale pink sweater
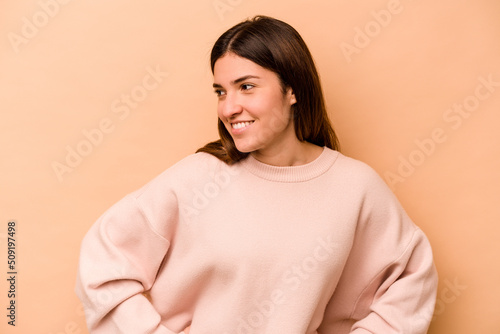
(292, 174)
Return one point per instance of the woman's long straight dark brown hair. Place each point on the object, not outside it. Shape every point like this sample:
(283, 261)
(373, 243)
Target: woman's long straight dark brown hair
(278, 47)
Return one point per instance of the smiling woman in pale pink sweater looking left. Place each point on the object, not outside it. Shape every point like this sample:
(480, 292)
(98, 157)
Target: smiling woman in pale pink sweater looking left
(267, 230)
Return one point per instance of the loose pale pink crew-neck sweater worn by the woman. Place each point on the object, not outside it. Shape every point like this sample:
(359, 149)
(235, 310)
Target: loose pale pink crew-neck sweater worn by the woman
(252, 248)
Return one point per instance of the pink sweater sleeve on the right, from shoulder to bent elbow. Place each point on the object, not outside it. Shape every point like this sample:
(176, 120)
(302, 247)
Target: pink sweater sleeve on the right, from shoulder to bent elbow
(389, 281)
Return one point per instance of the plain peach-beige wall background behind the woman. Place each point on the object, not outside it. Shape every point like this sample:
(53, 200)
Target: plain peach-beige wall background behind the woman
(390, 78)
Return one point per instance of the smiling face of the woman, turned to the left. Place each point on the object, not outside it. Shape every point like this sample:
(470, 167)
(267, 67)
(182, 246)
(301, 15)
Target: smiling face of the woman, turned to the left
(252, 105)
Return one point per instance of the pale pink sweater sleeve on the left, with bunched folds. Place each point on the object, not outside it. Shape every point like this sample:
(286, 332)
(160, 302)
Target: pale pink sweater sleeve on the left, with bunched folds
(119, 260)
